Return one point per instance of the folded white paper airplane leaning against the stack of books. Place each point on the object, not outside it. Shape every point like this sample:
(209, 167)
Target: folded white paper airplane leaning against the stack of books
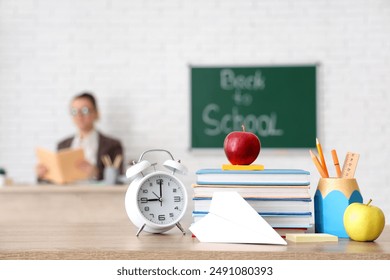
(232, 220)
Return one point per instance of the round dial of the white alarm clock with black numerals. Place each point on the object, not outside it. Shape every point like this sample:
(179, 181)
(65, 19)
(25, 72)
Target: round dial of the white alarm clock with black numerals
(162, 198)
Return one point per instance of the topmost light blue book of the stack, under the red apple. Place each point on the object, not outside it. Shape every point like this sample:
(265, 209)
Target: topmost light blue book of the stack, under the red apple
(269, 177)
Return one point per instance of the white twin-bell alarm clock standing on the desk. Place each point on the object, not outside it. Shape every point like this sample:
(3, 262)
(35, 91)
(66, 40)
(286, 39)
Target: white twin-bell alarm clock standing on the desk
(156, 200)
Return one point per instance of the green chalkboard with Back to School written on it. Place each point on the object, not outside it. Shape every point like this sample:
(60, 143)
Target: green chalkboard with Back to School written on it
(277, 103)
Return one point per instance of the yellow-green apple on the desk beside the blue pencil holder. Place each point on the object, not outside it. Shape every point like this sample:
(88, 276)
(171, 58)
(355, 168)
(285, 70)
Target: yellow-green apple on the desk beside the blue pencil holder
(363, 222)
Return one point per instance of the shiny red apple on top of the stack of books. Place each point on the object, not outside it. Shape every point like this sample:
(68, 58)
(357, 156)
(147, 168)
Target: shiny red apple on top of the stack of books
(241, 147)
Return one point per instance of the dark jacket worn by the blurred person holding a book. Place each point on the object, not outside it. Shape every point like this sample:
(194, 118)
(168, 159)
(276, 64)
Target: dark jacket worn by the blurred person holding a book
(106, 146)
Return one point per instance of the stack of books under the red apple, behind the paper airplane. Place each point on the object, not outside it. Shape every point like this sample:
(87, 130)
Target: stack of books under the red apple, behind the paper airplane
(281, 196)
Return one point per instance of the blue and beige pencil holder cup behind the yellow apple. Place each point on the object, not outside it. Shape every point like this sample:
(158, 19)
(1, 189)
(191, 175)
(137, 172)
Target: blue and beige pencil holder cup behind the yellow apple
(332, 197)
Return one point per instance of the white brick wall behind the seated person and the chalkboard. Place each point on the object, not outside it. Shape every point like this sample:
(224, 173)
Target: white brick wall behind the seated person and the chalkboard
(135, 54)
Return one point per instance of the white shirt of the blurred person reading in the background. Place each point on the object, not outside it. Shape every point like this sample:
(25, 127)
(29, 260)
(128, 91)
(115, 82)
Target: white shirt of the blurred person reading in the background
(89, 144)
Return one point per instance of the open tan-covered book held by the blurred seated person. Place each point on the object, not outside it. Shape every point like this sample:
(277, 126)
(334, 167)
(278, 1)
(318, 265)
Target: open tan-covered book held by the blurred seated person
(62, 165)
